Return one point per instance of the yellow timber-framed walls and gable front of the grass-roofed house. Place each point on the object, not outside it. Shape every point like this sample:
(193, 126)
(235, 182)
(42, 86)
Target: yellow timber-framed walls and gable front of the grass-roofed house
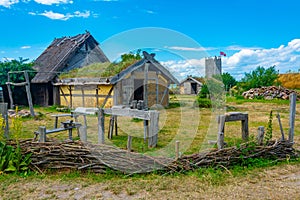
(145, 80)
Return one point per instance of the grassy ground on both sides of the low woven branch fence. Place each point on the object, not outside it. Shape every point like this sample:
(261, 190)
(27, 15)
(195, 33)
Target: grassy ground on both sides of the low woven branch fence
(264, 180)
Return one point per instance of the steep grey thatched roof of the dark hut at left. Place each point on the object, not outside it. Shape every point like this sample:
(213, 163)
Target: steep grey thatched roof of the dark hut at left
(67, 53)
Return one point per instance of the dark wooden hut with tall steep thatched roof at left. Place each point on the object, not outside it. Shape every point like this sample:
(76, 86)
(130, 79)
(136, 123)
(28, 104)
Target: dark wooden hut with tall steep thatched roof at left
(62, 55)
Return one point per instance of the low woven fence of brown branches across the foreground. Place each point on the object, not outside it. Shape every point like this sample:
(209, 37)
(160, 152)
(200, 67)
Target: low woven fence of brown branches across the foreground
(100, 158)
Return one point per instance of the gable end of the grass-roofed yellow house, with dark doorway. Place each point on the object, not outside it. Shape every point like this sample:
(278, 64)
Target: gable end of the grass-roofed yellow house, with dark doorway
(145, 80)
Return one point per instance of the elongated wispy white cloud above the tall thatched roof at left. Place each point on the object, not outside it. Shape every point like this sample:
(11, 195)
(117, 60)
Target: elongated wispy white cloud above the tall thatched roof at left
(59, 16)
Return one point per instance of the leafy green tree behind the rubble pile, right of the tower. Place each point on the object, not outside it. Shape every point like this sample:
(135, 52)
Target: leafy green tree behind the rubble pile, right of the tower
(260, 77)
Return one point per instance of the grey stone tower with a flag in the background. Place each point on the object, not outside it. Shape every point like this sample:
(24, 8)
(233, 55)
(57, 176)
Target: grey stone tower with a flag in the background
(213, 66)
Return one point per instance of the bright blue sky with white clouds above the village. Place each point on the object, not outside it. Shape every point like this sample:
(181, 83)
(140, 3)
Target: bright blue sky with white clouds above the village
(252, 33)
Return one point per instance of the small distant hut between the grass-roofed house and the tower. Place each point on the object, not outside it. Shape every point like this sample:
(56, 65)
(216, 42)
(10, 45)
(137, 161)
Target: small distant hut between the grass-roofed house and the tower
(190, 85)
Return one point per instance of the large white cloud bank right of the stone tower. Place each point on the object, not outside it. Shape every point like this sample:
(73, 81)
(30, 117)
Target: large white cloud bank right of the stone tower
(285, 58)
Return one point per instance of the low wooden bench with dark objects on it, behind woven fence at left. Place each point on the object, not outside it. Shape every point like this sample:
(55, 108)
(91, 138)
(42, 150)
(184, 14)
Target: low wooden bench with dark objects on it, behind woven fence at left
(68, 125)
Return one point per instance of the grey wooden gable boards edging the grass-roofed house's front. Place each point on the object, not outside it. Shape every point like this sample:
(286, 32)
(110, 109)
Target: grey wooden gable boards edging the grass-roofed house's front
(154, 63)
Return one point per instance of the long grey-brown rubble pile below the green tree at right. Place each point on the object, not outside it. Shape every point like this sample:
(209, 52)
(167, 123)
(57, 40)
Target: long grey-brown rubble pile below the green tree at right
(269, 93)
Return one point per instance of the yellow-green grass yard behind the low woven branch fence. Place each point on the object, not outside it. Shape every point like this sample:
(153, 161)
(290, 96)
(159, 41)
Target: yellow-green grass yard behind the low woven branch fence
(192, 126)
